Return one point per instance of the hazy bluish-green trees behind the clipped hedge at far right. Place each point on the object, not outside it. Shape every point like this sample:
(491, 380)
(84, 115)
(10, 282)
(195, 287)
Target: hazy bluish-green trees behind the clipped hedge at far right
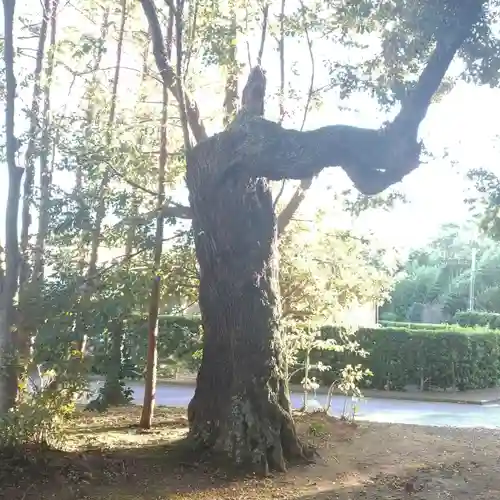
(439, 276)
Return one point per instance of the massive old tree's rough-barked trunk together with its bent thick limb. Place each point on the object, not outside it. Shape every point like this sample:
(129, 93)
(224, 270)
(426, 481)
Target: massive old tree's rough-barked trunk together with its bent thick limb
(240, 406)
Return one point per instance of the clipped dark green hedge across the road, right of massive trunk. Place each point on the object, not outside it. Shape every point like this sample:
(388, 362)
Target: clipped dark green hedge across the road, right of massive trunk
(429, 359)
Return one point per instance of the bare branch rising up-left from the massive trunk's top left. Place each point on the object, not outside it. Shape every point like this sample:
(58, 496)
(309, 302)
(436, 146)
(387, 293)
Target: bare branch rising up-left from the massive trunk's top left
(168, 74)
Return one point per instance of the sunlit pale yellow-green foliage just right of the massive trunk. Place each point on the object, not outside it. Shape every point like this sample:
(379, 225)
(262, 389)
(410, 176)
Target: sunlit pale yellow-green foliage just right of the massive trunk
(325, 273)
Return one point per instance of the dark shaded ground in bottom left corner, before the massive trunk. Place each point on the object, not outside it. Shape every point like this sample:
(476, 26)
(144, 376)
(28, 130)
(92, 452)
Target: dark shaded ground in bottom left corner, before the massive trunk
(144, 472)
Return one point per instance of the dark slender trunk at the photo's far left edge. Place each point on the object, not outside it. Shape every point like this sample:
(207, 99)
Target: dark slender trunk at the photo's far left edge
(9, 288)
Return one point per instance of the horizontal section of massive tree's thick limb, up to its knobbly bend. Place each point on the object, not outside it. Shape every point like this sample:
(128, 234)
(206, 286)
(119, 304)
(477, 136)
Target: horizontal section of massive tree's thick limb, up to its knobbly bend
(373, 159)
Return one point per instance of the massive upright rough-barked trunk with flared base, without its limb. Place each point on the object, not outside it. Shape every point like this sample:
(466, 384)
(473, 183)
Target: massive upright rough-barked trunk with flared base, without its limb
(241, 404)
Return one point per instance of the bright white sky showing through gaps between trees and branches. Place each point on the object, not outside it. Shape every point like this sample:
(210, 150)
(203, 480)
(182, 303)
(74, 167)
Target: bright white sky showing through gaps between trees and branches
(464, 125)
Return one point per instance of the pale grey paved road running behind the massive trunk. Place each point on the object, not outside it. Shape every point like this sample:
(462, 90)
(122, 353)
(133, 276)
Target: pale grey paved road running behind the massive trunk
(369, 409)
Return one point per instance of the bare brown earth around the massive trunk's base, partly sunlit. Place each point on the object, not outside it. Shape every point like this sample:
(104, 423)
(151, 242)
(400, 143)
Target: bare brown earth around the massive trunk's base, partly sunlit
(105, 457)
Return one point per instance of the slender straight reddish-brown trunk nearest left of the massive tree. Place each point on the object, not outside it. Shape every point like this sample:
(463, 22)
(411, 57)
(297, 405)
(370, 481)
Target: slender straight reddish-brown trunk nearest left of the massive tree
(154, 300)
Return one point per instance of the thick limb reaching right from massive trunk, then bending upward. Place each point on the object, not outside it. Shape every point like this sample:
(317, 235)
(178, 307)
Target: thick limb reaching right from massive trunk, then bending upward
(373, 159)
